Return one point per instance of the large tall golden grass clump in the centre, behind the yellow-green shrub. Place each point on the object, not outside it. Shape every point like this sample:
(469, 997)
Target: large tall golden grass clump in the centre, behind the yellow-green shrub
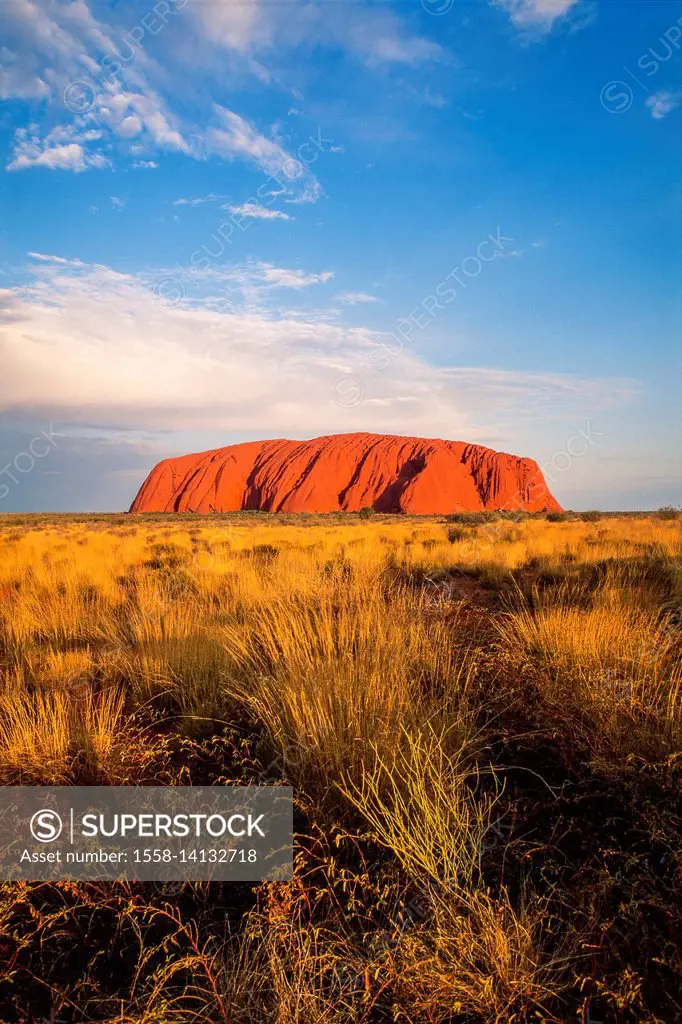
(327, 684)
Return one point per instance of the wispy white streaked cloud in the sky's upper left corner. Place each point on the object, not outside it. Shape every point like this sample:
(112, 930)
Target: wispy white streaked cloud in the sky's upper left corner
(119, 107)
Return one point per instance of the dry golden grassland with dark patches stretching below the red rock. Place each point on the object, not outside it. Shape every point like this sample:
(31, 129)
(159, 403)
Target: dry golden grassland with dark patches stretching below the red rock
(482, 720)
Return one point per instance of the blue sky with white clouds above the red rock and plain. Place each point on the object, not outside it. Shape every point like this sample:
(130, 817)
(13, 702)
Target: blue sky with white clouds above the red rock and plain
(227, 222)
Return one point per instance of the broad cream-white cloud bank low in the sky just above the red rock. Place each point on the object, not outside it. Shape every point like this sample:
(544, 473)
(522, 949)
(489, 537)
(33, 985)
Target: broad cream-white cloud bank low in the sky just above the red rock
(88, 345)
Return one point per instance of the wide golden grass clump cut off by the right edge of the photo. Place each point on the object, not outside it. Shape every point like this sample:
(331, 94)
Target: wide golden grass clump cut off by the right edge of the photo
(613, 667)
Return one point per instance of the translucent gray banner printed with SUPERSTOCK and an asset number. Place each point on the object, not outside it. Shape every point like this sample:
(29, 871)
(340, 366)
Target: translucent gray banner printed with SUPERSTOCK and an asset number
(152, 834)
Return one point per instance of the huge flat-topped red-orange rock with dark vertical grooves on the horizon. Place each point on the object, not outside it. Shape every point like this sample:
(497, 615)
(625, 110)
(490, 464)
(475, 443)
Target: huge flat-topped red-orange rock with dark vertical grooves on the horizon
(347, 473)
